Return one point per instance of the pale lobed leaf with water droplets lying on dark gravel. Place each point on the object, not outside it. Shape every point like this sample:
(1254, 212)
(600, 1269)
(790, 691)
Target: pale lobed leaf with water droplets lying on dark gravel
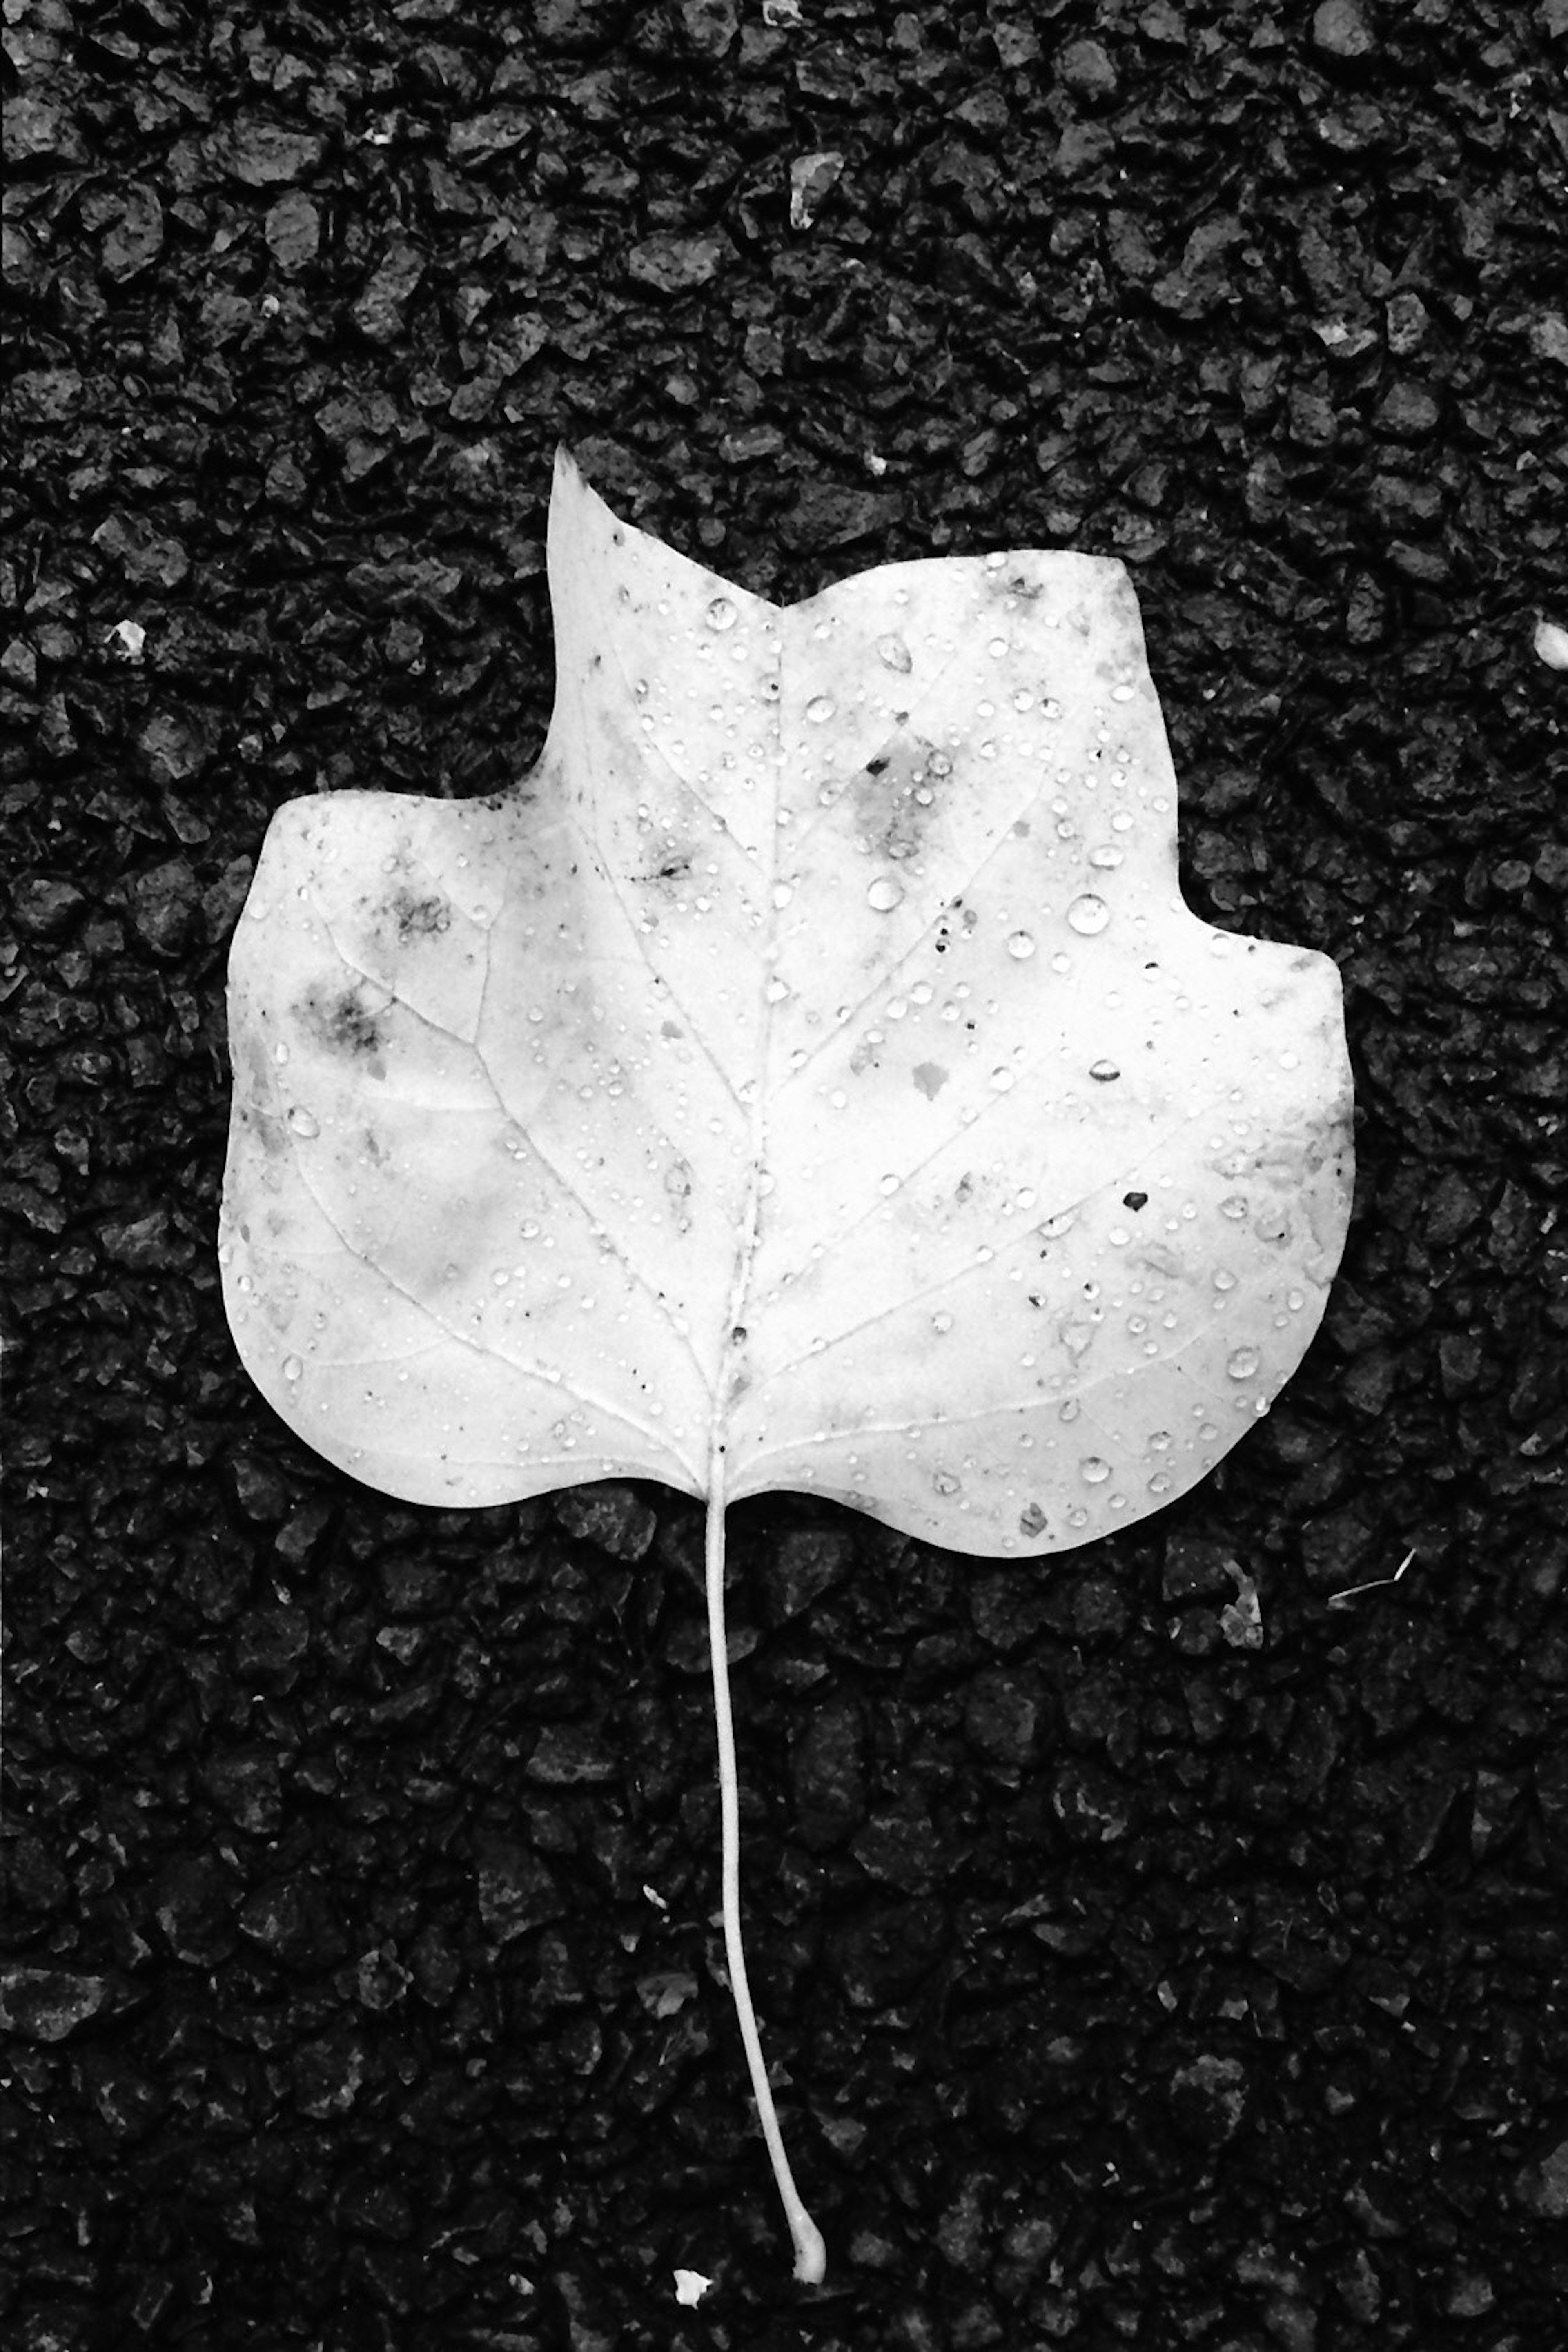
(805, 1078)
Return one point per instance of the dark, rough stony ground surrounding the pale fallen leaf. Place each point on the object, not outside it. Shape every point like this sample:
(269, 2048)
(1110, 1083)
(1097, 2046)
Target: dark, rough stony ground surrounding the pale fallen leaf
(1139, 1975)
